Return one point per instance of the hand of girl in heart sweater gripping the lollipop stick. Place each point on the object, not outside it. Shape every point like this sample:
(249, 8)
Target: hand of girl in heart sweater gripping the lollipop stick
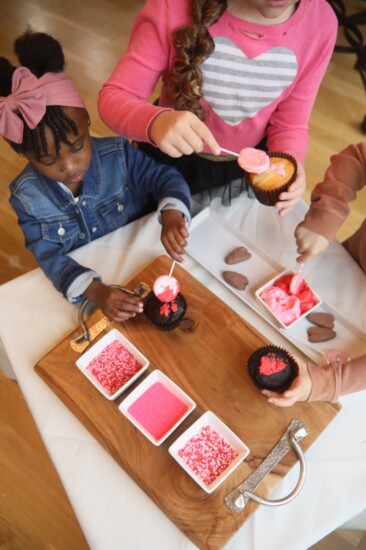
(178, 133)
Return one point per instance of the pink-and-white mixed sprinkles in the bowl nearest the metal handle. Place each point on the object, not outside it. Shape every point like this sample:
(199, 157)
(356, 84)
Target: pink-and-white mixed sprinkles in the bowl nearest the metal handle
(207, 454)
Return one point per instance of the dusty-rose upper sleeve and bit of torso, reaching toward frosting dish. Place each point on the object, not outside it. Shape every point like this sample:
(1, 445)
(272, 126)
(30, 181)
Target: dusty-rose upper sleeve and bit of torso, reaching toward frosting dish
(329, 208)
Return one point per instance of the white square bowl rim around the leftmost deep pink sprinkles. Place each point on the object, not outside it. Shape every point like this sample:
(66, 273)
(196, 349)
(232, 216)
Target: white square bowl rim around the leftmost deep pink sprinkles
(113, 335)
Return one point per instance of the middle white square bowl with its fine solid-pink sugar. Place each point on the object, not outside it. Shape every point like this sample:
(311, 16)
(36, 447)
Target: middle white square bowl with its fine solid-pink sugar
(157, 406)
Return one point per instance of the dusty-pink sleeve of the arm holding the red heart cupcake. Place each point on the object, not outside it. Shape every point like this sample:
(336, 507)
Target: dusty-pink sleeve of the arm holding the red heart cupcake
(334, 380)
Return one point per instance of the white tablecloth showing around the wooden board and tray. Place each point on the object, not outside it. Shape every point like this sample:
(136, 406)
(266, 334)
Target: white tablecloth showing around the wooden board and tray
(113, 511)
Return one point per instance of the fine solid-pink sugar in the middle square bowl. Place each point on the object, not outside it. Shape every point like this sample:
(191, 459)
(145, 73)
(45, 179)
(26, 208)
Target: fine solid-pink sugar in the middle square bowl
(157, 410)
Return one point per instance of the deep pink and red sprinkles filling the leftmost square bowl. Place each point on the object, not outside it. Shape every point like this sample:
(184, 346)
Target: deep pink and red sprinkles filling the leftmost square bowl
(114, 366)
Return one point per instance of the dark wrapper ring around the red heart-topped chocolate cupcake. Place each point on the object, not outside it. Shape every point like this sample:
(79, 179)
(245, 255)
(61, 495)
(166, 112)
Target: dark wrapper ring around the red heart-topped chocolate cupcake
(253, 368)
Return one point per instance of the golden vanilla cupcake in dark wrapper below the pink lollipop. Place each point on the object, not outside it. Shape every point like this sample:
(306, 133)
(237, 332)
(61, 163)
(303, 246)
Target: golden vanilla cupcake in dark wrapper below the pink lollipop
(268, 185)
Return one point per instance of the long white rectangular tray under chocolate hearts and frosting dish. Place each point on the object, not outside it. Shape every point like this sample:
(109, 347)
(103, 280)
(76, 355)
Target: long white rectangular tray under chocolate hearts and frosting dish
(212, 238)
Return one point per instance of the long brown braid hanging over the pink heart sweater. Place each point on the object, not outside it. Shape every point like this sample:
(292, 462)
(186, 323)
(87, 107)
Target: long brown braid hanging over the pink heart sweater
(193, 44)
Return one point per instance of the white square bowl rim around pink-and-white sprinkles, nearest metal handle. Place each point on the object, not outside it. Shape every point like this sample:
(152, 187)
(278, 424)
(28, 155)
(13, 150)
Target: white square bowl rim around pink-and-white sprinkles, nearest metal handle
(214, 423)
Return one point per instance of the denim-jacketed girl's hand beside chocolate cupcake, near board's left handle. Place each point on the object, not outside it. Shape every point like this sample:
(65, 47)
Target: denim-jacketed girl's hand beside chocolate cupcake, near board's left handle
(115, 304)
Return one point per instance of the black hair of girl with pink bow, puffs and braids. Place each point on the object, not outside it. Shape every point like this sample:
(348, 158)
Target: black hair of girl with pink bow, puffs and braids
(40, 53)
